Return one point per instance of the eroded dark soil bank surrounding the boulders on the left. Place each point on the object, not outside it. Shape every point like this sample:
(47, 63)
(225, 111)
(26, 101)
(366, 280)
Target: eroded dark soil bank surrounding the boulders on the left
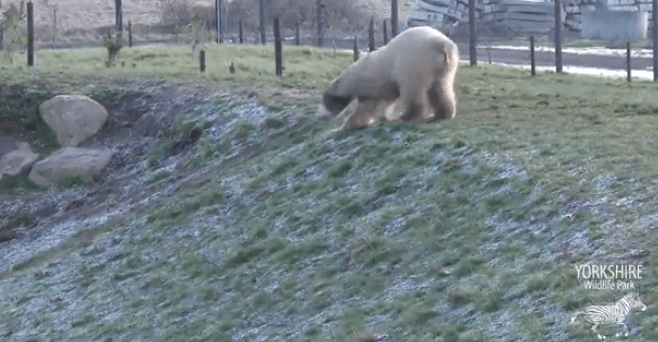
(153, 130)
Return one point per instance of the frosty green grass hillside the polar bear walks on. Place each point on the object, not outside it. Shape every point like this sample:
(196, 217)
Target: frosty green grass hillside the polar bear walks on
(464, 231)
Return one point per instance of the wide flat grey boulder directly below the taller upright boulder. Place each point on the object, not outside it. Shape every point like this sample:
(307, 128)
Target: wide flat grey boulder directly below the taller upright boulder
(69, 162)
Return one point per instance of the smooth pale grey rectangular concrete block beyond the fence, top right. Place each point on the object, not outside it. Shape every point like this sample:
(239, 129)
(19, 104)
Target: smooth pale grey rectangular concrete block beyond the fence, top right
(614, 25)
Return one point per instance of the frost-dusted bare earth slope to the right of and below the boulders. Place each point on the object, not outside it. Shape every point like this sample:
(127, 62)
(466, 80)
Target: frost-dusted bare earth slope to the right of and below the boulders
(154, 130)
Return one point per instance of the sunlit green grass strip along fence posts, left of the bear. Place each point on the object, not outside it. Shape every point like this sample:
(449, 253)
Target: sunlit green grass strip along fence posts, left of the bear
(306, 68)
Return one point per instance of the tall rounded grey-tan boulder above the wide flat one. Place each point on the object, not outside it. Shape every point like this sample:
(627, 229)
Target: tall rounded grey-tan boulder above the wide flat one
(73, 118)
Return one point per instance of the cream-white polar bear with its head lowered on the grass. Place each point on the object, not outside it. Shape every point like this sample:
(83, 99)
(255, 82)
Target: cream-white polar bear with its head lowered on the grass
(415, 70)
